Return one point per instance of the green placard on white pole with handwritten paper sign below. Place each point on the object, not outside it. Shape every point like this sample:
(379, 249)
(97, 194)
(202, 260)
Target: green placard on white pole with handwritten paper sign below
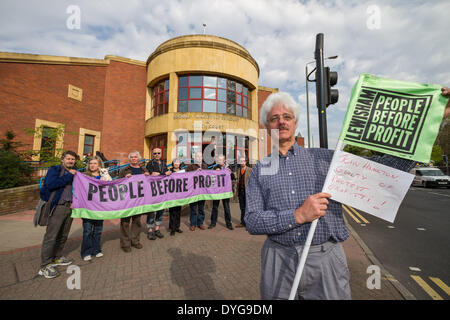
(389, 116)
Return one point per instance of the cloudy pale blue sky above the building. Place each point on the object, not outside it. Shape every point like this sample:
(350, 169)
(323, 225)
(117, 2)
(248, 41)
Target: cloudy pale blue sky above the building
(403, 40)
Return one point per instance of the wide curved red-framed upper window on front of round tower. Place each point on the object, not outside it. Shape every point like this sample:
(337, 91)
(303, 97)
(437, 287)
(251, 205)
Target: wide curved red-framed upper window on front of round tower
(201, 93)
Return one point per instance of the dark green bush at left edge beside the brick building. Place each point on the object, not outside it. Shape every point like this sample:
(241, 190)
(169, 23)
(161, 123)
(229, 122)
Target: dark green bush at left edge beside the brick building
(14, 171)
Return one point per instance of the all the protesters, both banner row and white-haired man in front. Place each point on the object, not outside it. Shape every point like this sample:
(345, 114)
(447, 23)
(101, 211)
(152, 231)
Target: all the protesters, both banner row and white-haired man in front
(281, 203)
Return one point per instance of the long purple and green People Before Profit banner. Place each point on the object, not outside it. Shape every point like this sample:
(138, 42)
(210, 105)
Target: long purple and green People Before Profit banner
(101, 200)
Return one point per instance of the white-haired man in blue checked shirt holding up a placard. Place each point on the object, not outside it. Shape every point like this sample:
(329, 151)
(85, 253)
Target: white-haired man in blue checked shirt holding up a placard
(283, 198)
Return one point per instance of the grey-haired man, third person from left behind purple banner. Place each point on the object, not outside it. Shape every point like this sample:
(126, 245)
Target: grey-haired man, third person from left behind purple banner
(130, 238)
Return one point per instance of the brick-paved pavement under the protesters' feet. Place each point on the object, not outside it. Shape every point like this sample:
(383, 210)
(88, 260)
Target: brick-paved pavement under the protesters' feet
(201, 265)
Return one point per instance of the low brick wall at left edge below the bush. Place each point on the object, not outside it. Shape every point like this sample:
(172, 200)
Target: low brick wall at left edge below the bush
(18, 199)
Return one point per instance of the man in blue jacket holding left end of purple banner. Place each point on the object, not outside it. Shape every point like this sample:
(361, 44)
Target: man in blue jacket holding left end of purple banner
(60, 220)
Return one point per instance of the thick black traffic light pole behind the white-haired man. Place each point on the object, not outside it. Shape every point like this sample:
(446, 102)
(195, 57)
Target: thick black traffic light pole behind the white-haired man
(321, 95)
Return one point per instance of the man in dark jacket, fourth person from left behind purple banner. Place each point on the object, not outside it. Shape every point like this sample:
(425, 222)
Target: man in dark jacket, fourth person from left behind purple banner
(156, 167)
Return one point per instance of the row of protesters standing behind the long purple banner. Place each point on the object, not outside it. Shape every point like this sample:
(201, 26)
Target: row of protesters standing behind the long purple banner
(59, 181)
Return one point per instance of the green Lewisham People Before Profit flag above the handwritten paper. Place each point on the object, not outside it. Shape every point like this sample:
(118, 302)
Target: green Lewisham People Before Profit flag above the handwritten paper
(394, 117)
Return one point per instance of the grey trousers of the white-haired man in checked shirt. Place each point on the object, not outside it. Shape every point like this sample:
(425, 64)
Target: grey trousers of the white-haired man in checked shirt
(325, 275)
